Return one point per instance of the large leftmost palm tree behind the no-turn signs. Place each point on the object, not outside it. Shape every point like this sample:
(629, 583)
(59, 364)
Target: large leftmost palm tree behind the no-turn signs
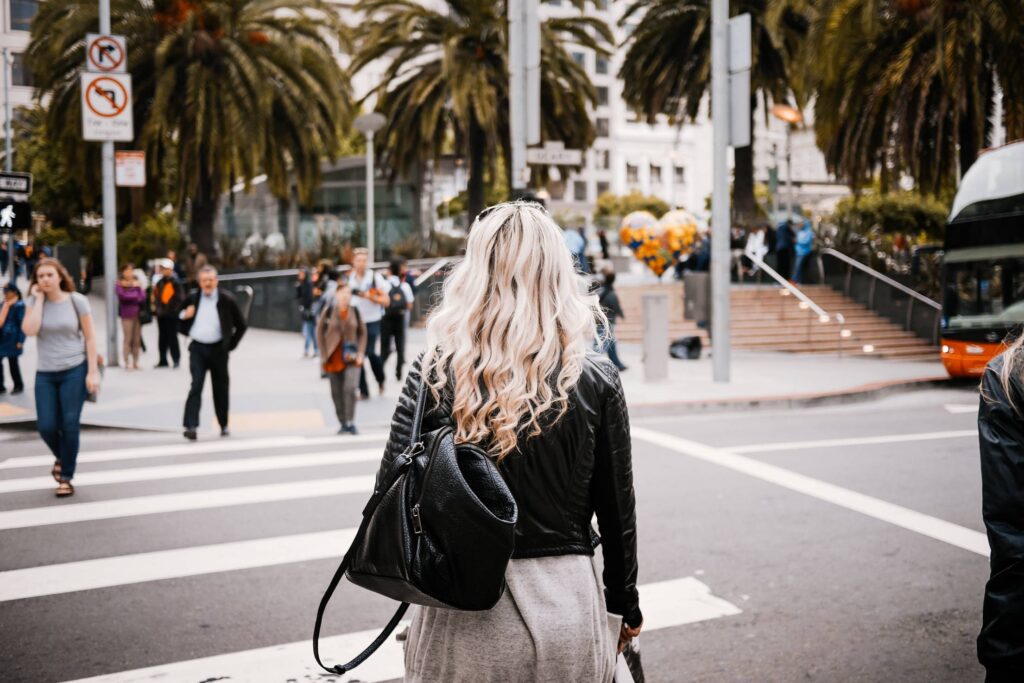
(227, 89)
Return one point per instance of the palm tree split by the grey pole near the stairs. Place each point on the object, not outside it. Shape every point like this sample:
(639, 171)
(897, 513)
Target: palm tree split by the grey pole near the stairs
(667, 68)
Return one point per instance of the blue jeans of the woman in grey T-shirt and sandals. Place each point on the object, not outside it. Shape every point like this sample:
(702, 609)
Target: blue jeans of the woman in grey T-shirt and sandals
(60, 397)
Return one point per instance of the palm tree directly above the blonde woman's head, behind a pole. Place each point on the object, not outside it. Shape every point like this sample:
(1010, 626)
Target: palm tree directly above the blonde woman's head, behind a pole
(446, 87)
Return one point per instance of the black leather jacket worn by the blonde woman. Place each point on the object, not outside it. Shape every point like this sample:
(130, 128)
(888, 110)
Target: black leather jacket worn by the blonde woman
(579, 467)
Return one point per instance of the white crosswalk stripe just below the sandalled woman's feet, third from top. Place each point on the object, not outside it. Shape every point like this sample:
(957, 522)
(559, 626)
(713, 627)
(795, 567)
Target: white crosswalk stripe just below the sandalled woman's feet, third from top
(197, 500)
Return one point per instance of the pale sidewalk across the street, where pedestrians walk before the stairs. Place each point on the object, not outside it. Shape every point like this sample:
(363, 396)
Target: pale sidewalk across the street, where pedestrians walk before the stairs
(275, 391)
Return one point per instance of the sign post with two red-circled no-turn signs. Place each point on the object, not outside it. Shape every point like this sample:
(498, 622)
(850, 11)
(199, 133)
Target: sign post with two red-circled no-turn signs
(107, 116)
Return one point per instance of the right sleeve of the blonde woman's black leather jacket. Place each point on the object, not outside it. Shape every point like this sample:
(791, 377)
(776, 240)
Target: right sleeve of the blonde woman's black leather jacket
(612, 490)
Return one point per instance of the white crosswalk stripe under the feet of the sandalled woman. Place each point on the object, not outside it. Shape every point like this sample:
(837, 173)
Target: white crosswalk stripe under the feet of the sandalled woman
(234, 466)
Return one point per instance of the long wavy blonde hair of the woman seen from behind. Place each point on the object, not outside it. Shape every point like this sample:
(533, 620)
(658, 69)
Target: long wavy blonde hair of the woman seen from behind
(513, 330)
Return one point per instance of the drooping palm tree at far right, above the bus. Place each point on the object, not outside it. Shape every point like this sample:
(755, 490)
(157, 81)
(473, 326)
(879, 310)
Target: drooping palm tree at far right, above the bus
(907, 87)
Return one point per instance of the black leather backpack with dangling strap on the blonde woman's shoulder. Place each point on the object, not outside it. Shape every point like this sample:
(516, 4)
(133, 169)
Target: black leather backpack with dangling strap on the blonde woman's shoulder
(439, 531)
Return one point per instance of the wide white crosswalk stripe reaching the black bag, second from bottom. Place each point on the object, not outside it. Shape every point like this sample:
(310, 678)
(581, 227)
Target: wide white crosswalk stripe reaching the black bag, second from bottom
(178, 564)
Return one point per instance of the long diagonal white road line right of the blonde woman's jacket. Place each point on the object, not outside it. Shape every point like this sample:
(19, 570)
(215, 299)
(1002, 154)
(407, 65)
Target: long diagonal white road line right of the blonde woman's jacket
(933, 528)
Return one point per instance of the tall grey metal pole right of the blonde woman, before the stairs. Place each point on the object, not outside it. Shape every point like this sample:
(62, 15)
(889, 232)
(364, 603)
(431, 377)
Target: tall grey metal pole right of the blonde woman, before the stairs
(720, 193)
